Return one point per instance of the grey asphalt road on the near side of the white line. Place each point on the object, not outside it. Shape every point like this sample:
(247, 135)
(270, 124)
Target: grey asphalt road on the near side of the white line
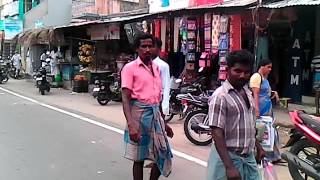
(38, 143)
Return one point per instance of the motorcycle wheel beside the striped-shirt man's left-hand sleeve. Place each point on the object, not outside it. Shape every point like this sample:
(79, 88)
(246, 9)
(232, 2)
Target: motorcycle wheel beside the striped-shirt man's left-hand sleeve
(197, 116)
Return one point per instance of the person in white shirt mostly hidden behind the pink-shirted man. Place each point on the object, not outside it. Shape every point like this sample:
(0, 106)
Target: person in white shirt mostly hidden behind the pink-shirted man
(164, 74)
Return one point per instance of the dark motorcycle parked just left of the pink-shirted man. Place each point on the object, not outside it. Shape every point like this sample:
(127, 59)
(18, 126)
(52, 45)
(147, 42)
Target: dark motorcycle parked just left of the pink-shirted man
(109, 90)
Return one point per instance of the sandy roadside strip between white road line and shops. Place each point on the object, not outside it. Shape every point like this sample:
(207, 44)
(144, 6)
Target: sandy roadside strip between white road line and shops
(84, 104)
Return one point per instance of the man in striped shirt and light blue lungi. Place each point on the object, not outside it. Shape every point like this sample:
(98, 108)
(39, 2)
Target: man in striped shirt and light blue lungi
(232, 118)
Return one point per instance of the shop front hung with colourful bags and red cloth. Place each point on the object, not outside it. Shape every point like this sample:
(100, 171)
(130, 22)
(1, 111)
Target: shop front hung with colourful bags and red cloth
(200, 35)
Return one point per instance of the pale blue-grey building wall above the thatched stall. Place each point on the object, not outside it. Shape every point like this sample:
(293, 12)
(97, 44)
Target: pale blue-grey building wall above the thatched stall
(49, 13)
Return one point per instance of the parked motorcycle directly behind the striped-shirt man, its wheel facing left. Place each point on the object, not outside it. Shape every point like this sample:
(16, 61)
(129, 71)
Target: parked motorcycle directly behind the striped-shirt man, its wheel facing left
(196, 123)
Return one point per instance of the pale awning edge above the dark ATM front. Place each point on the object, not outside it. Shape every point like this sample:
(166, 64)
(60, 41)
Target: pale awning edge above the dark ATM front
(288, 3)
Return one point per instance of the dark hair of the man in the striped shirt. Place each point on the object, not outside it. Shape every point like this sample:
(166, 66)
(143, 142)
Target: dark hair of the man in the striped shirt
(242, 57)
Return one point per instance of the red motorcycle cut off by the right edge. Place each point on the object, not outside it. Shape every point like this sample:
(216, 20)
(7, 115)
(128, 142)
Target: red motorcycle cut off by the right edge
(304, 155)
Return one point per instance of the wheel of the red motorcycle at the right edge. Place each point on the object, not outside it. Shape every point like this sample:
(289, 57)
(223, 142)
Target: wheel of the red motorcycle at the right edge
(302, 148)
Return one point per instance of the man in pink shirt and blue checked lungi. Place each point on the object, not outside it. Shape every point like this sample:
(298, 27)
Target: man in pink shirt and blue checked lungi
(146, 133)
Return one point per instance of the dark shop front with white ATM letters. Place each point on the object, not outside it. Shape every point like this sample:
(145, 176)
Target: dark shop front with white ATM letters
(286, 36)
